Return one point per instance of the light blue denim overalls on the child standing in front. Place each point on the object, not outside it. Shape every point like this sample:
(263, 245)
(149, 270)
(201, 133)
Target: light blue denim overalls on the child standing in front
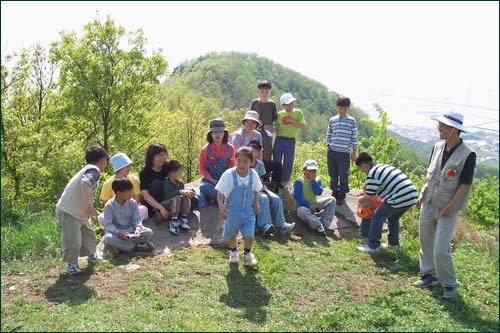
(239, 206)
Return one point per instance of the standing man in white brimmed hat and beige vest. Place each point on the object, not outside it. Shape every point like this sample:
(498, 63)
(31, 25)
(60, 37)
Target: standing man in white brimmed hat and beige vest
(444, 194)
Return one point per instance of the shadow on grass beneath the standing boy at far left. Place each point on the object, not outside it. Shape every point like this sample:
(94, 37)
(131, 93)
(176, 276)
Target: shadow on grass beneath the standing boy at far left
(71, 289)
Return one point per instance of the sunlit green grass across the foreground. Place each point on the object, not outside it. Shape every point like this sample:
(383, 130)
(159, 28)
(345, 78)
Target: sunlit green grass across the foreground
(310, 285)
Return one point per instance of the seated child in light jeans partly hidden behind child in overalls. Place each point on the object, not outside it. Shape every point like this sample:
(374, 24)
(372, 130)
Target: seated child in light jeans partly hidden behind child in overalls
(271, 205)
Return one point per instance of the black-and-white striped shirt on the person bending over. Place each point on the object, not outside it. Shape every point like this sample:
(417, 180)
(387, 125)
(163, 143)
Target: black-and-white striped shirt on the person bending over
(392, 185)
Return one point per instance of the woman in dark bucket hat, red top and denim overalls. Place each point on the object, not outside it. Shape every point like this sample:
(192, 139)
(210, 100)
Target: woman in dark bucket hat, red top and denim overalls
(215, 157)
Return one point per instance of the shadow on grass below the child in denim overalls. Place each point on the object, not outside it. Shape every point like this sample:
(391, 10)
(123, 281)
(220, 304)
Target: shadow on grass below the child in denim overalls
(245, 291)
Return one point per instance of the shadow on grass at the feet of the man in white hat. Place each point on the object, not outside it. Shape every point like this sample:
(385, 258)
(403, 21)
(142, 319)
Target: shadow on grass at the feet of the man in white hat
(469, 317)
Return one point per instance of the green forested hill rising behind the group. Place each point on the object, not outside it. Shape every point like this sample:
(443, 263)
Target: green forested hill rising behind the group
(231, 78)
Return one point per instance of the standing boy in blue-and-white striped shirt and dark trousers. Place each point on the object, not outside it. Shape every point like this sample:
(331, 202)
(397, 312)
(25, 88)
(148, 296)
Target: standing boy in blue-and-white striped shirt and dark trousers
(341, 137)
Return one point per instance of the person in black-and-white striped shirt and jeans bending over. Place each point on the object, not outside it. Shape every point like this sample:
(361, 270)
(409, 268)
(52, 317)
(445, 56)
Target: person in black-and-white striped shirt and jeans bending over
(399, 194)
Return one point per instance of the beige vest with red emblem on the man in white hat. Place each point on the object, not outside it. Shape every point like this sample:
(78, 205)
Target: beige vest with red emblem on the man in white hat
(440, 187)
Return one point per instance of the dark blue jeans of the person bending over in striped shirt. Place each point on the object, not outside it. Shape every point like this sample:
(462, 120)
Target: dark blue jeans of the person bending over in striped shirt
(392, 215)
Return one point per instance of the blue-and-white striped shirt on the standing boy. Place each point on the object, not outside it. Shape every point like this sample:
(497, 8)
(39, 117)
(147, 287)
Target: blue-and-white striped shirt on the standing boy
(342, 134)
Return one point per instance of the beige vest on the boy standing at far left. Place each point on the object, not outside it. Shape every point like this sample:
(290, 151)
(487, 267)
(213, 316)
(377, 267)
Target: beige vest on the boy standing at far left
(71, 201)
